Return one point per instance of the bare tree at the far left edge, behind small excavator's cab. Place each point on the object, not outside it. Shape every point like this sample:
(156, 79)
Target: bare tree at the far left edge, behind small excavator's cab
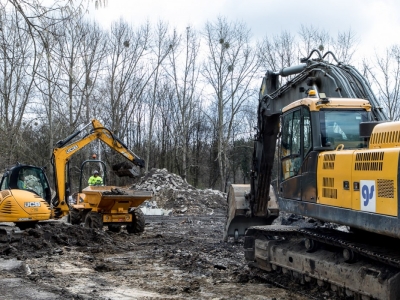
(16, 83)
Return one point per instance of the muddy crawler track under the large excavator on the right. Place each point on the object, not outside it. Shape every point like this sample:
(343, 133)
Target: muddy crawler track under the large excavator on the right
(348, 262)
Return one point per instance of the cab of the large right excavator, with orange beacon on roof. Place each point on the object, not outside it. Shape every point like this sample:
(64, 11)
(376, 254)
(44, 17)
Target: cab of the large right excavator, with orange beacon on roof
(305, 133)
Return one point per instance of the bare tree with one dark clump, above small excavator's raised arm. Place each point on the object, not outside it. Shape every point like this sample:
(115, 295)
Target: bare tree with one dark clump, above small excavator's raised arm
(126, 72)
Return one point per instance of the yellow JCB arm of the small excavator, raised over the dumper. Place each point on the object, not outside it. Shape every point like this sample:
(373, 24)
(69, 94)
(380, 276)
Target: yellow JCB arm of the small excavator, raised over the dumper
(64, 150)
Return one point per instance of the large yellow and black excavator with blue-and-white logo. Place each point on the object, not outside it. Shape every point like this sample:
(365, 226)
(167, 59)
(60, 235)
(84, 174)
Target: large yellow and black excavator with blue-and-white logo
(323, 150)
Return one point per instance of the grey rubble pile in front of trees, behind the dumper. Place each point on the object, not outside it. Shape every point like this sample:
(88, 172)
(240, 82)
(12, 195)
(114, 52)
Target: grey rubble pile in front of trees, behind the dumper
(173, 193)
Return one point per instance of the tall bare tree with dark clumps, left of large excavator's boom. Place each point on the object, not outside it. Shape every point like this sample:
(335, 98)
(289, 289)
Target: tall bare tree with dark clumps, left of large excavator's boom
(230, 66)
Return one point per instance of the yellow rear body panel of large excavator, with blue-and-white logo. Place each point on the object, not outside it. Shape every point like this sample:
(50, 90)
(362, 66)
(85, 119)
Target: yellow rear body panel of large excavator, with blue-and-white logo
(360, 180)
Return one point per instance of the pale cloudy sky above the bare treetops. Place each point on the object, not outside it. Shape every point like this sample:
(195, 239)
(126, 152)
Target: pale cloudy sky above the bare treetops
(375, 23)
